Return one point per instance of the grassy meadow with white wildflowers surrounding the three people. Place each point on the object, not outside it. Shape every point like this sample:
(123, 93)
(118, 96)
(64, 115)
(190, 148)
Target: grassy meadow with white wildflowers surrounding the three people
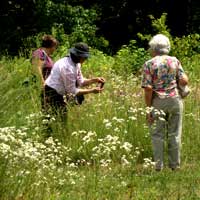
(105, 150)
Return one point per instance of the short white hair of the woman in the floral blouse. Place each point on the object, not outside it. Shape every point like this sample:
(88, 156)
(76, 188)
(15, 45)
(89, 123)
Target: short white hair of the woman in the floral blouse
(160, 44)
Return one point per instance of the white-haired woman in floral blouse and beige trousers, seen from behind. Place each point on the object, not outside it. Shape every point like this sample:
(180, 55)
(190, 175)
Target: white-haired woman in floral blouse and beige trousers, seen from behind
(161, 96)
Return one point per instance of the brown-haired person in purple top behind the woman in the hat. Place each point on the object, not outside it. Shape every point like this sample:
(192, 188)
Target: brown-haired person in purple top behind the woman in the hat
(41, 60)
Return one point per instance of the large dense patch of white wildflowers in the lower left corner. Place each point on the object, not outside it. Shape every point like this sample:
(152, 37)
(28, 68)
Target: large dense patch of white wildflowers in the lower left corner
(24, 160)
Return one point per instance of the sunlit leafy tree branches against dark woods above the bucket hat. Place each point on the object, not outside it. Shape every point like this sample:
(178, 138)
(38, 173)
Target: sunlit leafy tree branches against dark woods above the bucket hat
(77, 23)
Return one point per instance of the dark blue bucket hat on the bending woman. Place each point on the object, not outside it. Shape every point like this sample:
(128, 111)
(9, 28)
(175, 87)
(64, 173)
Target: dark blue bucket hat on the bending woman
(80, 50)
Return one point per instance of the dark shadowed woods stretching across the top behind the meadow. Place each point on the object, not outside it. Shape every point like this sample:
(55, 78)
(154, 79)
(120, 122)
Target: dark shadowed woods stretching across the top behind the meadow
(118, 21)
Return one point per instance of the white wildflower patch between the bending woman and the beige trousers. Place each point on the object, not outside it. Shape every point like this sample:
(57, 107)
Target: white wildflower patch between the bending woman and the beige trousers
(105, 150)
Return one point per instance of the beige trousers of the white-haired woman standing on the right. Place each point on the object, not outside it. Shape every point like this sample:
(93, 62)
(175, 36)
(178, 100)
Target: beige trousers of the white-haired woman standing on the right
(168, 123)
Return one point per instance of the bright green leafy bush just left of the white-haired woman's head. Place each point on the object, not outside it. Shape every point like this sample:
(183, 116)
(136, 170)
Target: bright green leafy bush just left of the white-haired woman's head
(129, 59)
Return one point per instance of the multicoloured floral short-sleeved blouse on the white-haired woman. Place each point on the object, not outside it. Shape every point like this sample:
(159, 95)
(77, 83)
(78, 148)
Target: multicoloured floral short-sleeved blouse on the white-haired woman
(160, 73)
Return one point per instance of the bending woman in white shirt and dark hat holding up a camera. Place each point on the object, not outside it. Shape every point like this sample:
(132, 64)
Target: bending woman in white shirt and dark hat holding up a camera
(66, 79)
